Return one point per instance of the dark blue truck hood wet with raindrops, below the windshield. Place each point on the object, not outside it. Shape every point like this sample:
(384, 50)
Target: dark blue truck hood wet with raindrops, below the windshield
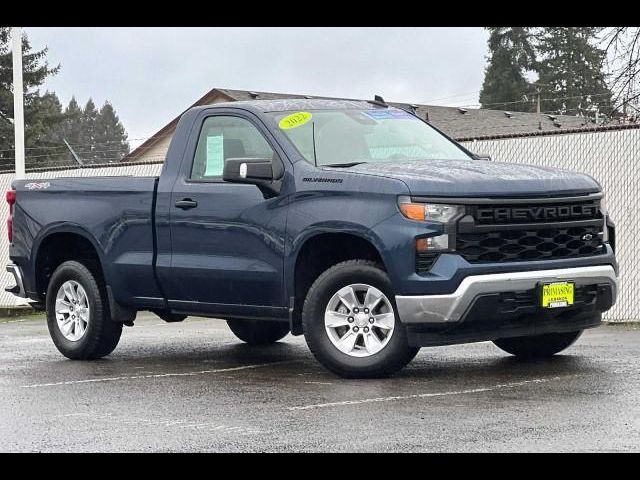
(474, 178)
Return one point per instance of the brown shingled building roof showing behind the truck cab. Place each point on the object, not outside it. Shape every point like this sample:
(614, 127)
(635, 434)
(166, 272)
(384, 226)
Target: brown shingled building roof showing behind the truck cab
(458, 123)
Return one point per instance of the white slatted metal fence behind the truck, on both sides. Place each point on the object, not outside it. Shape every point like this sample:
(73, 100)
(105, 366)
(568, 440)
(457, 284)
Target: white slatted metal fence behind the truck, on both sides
(612, 157)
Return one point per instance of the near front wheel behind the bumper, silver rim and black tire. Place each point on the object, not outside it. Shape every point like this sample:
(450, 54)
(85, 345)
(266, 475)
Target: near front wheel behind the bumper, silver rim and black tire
(351, 324)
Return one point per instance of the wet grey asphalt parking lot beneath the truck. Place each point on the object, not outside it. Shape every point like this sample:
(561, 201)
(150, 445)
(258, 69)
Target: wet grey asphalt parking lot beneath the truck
(192, 386)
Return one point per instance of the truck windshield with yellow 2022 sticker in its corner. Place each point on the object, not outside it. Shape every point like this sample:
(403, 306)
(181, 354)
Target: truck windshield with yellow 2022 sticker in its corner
(361, 136)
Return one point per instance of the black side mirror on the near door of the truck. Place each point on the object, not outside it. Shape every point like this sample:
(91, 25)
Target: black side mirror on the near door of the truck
(265, 173)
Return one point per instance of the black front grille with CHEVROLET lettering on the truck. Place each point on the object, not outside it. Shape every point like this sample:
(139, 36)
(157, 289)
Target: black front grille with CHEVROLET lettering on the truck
(525, 232)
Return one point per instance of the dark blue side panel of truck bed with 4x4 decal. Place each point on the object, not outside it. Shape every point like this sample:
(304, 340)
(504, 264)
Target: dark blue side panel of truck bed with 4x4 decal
(115, 212)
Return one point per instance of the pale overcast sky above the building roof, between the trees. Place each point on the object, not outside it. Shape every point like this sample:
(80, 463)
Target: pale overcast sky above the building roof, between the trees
(151, 74)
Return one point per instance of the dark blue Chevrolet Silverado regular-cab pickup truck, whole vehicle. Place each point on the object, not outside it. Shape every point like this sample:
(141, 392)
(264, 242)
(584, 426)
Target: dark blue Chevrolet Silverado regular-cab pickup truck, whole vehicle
(354, 223)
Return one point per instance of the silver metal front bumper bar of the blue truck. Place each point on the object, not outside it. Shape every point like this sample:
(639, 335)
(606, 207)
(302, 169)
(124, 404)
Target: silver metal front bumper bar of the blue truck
(451, 308)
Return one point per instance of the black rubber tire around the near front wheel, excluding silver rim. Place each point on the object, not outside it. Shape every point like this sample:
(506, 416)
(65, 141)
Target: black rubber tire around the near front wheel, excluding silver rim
(393, 357)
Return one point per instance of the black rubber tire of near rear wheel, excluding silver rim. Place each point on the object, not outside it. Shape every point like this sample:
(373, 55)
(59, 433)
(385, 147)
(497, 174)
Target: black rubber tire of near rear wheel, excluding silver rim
(102, 334)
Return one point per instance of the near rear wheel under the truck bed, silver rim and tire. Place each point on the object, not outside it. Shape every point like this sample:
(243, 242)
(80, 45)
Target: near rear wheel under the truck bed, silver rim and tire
(77, 313)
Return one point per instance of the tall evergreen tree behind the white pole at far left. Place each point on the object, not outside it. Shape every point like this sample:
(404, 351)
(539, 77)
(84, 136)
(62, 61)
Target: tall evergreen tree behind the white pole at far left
(41, 115)
